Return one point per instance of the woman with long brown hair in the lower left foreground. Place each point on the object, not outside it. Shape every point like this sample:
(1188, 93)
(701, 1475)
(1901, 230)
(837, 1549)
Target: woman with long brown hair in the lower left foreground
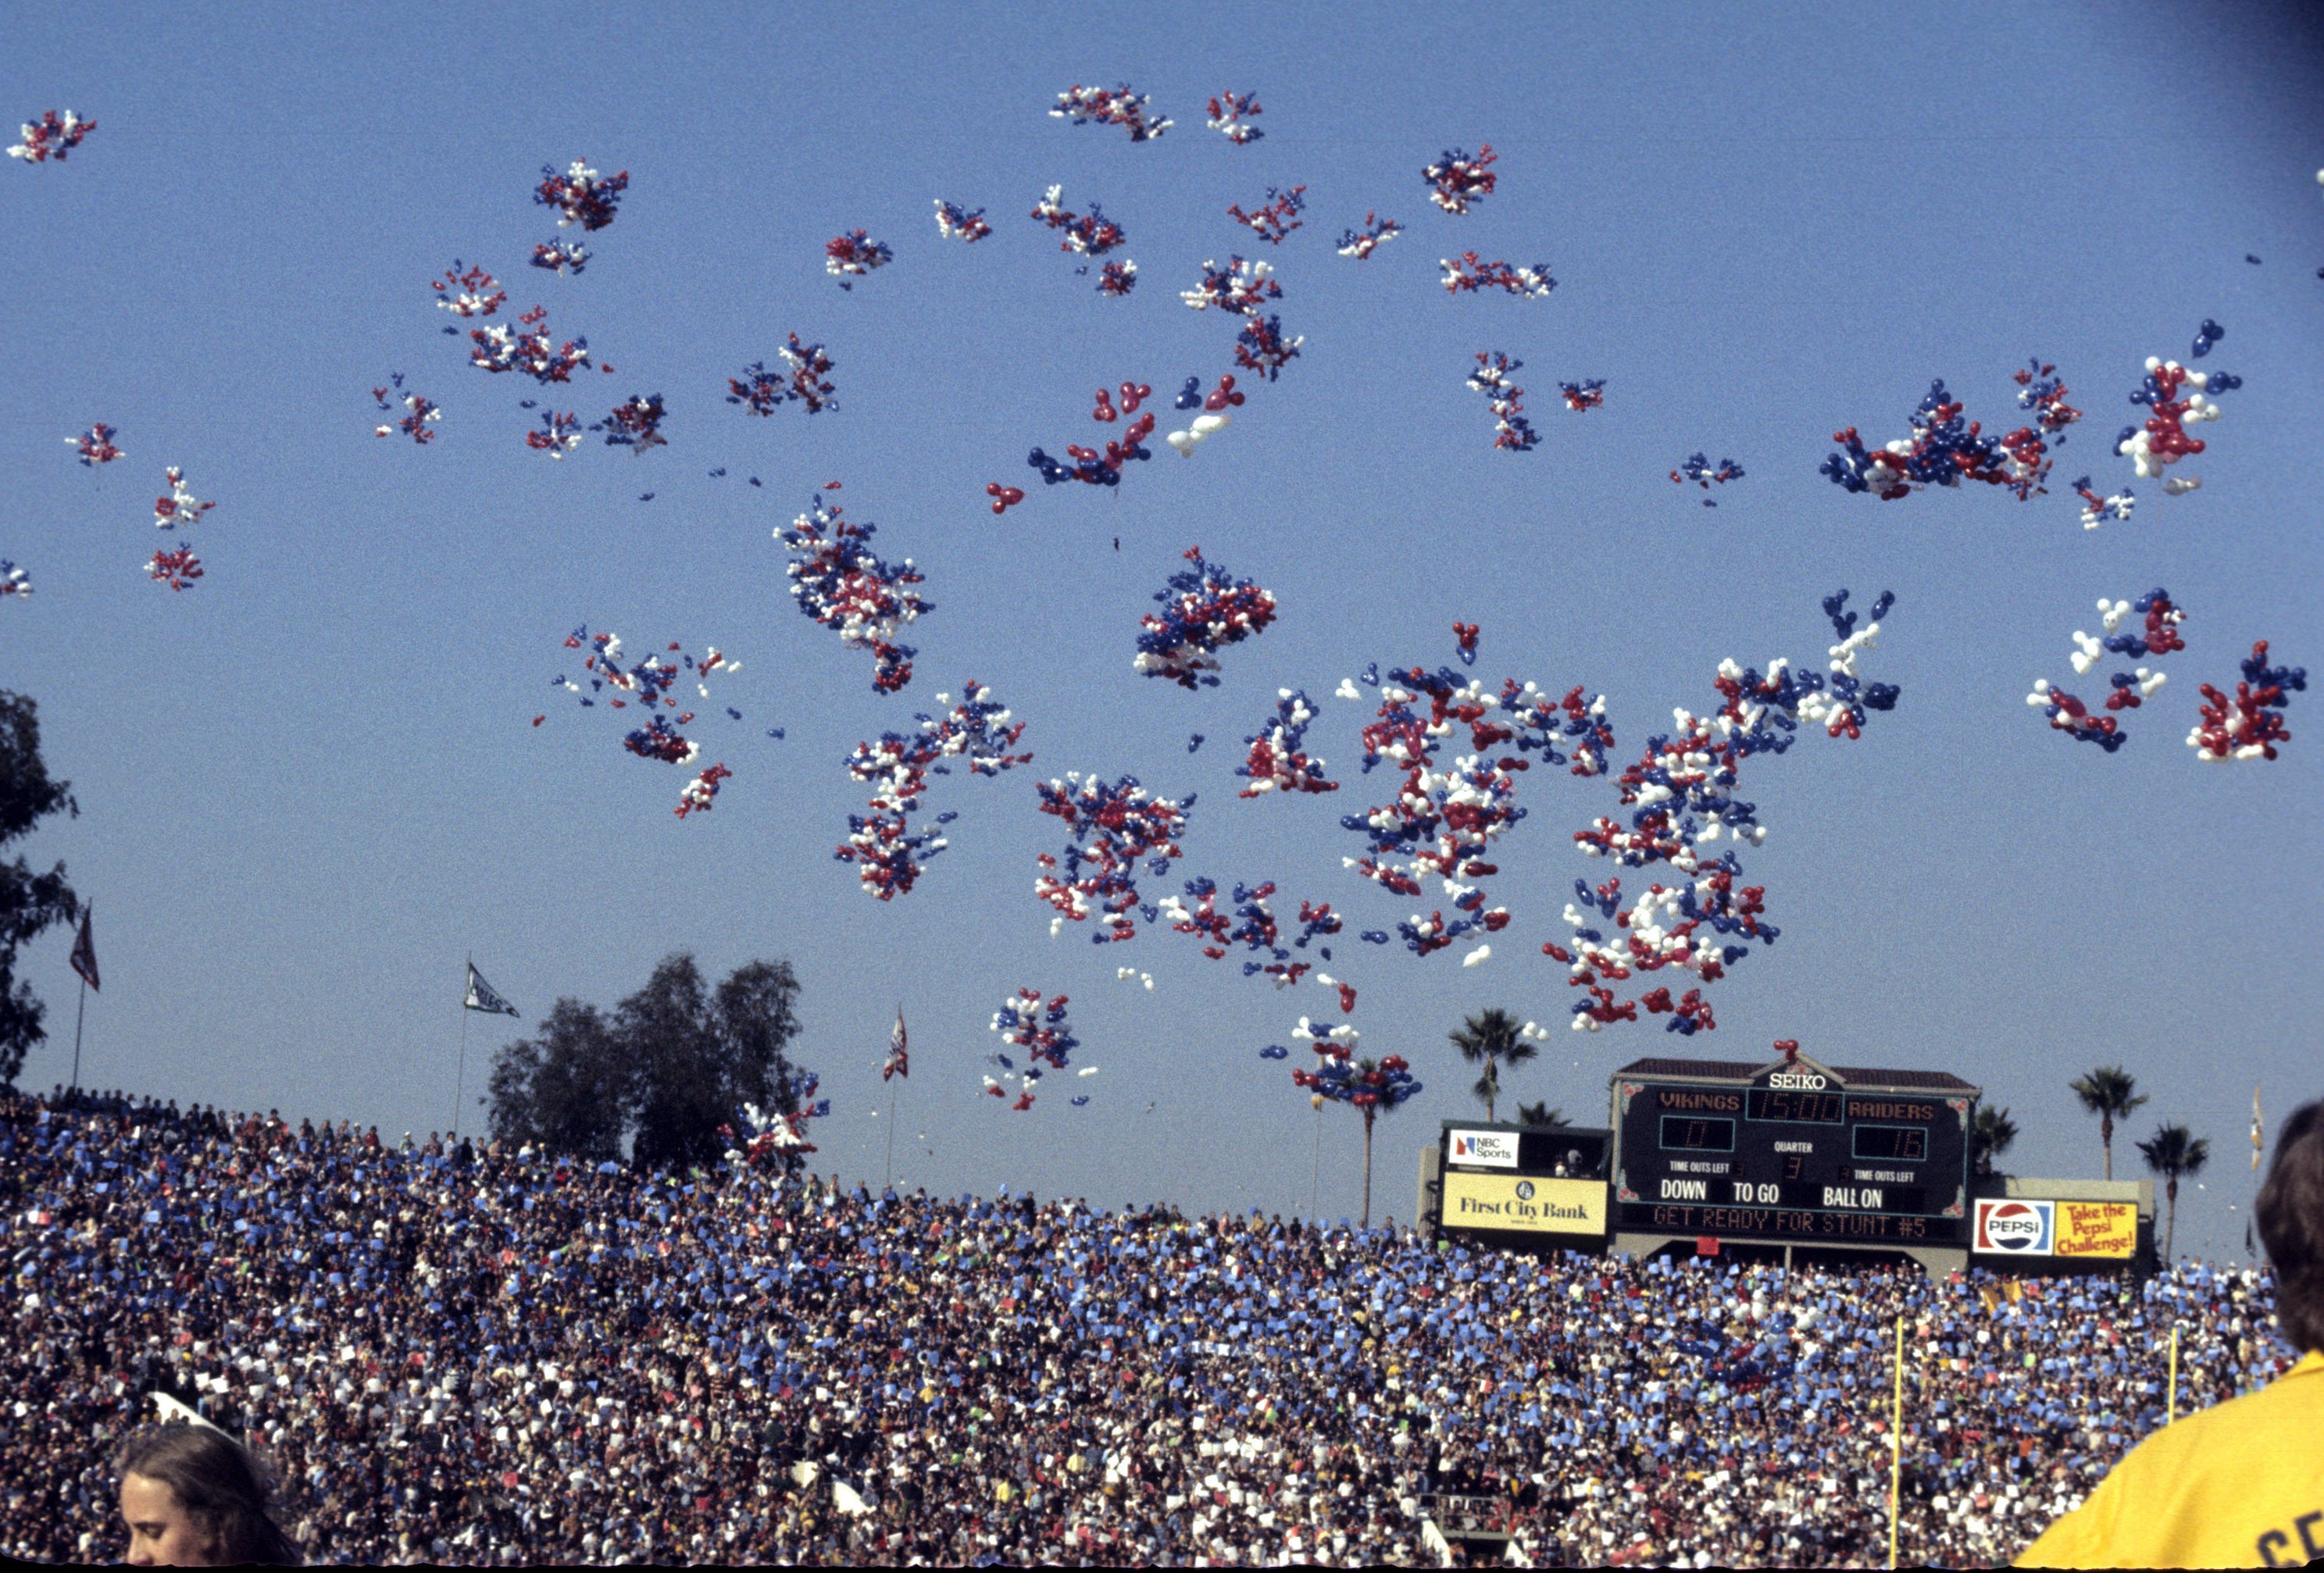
(194, 1497)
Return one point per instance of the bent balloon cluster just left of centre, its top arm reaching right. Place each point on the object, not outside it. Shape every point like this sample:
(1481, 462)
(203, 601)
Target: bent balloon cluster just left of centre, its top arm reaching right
(887, 852)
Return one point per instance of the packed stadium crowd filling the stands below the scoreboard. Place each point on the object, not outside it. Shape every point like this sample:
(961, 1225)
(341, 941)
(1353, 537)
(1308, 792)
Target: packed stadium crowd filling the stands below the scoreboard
(496, 1358)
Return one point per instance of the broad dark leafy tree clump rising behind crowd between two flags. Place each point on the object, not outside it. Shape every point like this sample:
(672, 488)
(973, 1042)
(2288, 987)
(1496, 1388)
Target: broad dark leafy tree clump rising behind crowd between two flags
(657, 1077)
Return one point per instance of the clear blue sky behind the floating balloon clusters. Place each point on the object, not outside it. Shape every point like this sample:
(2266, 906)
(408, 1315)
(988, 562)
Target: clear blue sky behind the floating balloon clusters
(310, 786)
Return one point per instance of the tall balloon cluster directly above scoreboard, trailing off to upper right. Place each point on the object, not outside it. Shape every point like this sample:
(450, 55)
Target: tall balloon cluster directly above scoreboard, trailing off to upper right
(1681, 798)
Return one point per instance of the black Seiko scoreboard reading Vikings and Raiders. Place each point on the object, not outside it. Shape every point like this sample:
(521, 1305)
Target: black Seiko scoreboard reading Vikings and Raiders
(1793, 1151)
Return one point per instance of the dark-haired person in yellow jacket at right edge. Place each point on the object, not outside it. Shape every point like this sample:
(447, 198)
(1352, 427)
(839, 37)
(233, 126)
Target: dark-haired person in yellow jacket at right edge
(2239, 1486)
